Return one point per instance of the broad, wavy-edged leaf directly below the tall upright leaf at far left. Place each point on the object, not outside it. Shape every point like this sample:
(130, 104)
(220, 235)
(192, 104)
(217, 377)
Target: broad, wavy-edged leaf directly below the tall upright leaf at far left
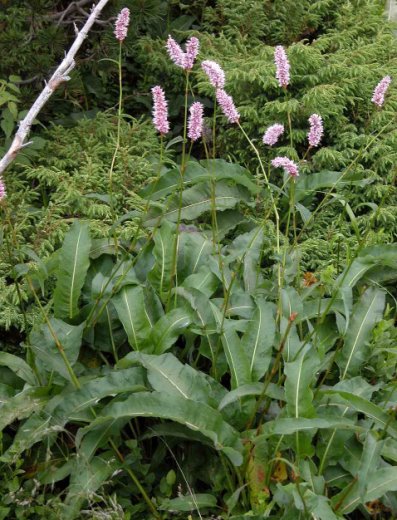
(45, 348)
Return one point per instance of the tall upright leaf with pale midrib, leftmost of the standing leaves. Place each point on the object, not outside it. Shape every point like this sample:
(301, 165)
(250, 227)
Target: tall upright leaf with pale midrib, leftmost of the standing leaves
(72, 269)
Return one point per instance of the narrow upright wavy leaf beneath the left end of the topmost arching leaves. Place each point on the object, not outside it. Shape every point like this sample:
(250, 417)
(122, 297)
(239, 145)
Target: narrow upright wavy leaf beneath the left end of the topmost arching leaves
(163, 252)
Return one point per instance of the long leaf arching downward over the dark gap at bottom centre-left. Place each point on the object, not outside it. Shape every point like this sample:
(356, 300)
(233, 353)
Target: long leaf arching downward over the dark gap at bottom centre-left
(197, 416)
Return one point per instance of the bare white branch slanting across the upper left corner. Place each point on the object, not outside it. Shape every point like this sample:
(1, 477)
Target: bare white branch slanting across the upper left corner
(60, 76)
